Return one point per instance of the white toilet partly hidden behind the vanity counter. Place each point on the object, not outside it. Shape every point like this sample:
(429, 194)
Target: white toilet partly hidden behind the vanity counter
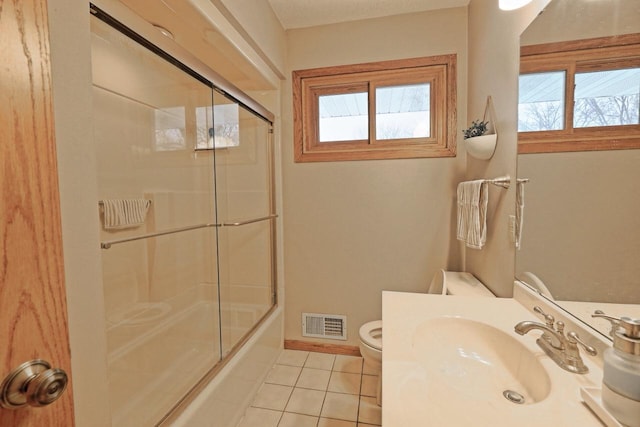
(443, 283)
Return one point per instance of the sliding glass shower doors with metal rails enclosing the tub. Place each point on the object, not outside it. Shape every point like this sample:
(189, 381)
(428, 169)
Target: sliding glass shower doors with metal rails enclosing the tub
(187, 284)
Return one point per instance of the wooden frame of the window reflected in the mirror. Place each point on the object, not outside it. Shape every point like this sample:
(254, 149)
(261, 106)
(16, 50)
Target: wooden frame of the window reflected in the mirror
(597, 54)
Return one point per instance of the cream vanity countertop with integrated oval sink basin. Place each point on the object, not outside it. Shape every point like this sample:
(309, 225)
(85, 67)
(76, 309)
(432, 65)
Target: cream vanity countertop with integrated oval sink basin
(447, 361)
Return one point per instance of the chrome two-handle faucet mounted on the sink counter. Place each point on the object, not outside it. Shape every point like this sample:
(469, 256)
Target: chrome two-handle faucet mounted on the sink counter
(562, 349)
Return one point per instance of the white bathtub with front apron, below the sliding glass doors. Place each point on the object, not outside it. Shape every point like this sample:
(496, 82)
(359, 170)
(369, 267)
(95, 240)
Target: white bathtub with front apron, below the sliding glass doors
(158, 355)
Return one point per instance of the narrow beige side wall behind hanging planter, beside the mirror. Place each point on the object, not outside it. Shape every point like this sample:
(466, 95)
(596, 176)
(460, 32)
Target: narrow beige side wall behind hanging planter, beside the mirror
(494, 40)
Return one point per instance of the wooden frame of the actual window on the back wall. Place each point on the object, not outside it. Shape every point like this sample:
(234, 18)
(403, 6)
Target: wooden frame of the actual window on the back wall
(308, 85)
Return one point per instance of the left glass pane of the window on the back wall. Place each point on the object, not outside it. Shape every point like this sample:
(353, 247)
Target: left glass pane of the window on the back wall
(344, 117)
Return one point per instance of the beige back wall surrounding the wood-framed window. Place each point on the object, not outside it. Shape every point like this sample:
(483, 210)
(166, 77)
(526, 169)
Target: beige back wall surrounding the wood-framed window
(353, 229)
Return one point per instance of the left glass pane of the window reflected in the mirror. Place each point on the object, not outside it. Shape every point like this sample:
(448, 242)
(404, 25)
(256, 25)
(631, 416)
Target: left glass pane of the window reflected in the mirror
(541, 101)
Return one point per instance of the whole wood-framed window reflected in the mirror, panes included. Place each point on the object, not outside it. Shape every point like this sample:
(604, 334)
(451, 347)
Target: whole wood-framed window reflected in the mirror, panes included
(580, 96)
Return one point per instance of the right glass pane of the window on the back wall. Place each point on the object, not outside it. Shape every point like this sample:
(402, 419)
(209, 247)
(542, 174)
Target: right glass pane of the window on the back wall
(403, 112)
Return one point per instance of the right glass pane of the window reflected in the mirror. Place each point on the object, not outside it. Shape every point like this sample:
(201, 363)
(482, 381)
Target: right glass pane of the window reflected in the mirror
(607, 98)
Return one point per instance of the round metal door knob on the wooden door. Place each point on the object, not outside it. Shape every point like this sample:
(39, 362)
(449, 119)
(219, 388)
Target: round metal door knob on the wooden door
(33, 383)
